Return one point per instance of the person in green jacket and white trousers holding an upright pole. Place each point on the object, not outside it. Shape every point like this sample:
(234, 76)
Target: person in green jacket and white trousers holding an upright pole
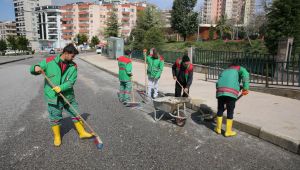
(155, 64)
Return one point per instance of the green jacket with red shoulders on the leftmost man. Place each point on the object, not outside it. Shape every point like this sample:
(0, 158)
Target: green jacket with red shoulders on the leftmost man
(66, 81)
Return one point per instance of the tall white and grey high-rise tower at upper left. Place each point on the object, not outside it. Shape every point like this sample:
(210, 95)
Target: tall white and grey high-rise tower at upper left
(26, 21)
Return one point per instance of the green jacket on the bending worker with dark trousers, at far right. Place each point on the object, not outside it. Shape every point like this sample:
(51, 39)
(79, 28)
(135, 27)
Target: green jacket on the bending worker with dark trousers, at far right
(229, 81)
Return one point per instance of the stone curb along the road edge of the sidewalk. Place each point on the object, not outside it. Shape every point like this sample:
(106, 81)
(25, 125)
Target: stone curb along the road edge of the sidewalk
(282, 141)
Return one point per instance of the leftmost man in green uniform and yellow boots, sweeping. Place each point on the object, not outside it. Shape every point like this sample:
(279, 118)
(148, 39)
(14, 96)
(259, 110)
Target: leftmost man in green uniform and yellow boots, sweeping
(62, 71)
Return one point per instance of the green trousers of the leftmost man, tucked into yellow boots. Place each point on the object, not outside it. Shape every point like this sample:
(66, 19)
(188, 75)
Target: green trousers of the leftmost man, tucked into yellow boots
(55, 111)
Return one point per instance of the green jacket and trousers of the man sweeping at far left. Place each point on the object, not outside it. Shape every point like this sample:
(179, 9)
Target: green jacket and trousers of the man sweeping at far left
(64, 75)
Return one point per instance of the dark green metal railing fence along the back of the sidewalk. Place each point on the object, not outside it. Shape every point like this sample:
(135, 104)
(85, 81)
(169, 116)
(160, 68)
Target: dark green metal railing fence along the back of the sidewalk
(264, 68)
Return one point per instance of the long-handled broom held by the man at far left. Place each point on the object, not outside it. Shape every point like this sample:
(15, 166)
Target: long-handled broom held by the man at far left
(98, 142)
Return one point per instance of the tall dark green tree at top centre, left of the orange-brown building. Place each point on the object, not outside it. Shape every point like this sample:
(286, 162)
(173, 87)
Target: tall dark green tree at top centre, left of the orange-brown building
(183, 18)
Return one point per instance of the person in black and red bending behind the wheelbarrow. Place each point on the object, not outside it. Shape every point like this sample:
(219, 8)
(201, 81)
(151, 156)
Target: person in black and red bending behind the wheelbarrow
(182, 71)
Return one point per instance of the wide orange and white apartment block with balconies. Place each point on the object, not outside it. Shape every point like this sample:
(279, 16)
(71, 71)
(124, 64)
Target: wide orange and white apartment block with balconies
(91, 19)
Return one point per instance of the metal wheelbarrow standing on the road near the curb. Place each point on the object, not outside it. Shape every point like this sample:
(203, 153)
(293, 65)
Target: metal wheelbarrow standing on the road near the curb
(174, 106)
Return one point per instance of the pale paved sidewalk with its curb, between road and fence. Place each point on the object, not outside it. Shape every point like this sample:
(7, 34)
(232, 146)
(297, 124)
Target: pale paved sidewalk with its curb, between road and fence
(273, 118)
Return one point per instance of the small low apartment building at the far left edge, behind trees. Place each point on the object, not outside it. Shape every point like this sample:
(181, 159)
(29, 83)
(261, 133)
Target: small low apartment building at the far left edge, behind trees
(7, 28)
